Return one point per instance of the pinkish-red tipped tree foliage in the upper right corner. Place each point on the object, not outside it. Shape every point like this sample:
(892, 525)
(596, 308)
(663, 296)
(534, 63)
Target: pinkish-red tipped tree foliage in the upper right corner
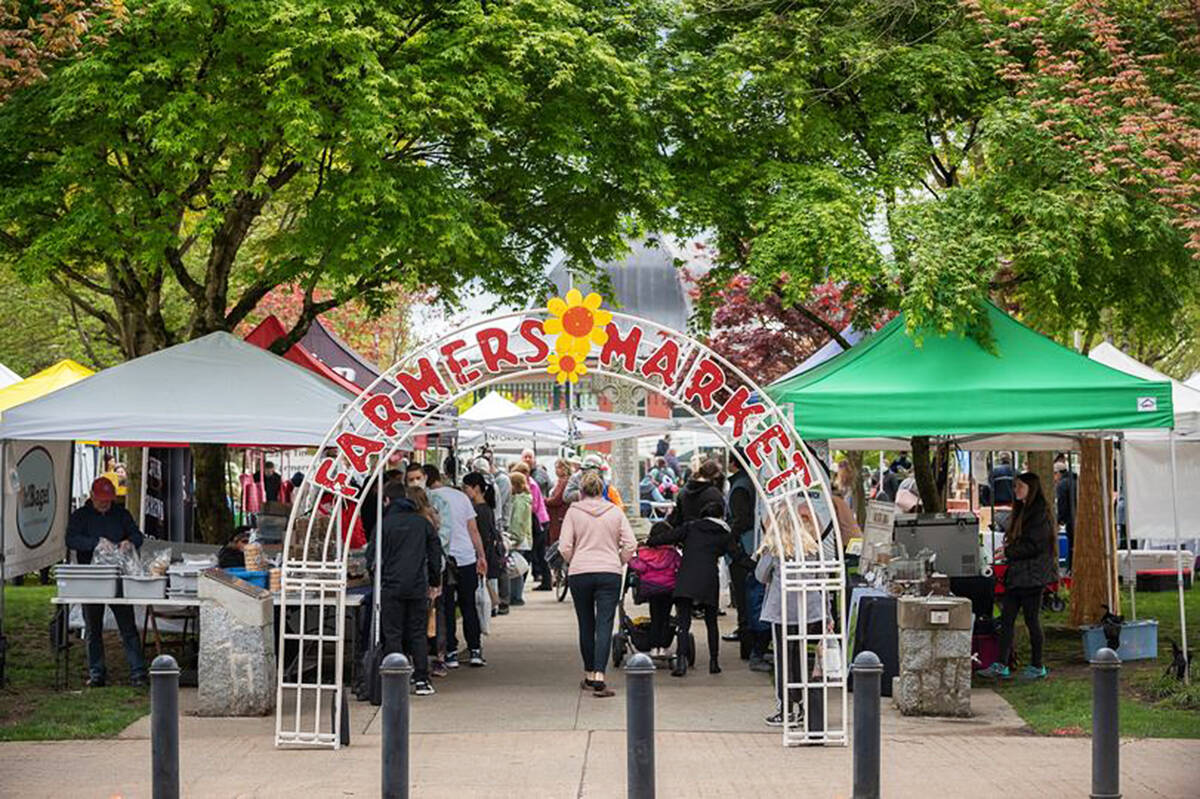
(1119, 95)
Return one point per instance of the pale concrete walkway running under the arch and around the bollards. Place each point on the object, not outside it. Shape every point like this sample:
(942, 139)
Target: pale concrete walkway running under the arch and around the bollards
(521, 728)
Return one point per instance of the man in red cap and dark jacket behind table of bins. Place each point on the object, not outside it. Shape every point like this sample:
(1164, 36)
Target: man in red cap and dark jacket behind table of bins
(103, 519)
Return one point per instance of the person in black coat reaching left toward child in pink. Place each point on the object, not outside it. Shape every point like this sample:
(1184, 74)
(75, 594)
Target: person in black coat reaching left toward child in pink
(705, 540)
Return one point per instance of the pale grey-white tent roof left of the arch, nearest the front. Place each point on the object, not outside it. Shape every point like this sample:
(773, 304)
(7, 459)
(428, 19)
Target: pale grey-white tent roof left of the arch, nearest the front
(213, 391)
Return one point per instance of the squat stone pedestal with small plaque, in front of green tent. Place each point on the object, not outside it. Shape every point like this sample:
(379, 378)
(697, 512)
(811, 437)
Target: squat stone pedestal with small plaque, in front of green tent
(935, 657)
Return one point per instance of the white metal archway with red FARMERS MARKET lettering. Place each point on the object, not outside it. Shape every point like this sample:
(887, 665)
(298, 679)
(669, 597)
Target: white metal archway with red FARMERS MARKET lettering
(791, 485)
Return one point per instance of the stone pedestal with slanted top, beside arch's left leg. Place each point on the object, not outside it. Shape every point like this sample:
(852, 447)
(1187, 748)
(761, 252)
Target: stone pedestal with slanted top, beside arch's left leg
(237, 669)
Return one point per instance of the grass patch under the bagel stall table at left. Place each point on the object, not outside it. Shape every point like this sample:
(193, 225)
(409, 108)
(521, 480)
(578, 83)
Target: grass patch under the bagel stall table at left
(31, 708)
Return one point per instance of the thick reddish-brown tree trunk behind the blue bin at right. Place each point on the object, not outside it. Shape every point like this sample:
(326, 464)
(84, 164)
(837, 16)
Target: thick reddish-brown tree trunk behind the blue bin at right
(1093, 566)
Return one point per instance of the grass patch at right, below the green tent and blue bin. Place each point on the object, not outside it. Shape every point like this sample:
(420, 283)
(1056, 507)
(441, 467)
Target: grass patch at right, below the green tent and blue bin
(1151, 706)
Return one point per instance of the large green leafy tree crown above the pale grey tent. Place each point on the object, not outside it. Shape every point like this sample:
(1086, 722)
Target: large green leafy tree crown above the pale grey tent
(211, 152)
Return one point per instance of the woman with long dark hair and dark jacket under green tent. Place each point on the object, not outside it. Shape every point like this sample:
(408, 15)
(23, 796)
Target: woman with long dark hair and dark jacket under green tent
(1030, 550)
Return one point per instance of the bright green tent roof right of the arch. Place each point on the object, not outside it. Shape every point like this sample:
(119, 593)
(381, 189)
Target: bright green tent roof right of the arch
(952, 386)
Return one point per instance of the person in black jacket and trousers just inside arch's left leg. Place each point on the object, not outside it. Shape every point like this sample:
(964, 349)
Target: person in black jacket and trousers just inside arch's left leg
(410, 578)
